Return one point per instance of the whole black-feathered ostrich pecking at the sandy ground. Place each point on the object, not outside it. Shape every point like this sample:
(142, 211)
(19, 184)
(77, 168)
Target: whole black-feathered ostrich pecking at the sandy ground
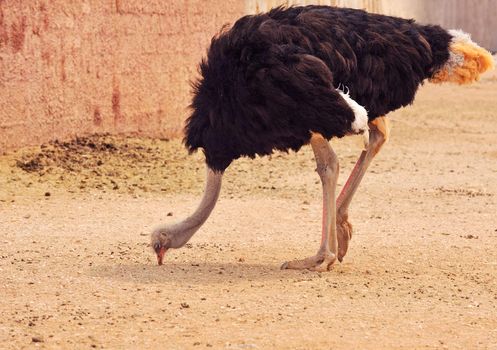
(302, 75)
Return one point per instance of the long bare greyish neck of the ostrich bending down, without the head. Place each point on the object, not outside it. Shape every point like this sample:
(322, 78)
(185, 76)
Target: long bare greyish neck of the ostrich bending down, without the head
(181, 232)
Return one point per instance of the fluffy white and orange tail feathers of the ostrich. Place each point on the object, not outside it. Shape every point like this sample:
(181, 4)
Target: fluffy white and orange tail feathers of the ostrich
(467, 61)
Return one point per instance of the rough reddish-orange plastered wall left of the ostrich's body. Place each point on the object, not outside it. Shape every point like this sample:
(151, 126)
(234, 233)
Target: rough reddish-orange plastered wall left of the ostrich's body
(72, 67)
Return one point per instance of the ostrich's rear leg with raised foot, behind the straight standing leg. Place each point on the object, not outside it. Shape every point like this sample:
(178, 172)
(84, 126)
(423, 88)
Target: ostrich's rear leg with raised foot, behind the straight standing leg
(378, 135)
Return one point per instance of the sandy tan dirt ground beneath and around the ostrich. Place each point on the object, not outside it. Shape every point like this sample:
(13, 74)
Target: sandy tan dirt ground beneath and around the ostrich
(76, 269)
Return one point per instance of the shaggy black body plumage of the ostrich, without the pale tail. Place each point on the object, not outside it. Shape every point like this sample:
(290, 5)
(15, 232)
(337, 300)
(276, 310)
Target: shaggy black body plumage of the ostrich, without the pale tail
(271, 80)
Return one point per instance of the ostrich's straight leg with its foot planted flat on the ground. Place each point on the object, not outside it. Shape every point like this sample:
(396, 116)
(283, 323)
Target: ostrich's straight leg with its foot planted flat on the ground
(327, 168)
